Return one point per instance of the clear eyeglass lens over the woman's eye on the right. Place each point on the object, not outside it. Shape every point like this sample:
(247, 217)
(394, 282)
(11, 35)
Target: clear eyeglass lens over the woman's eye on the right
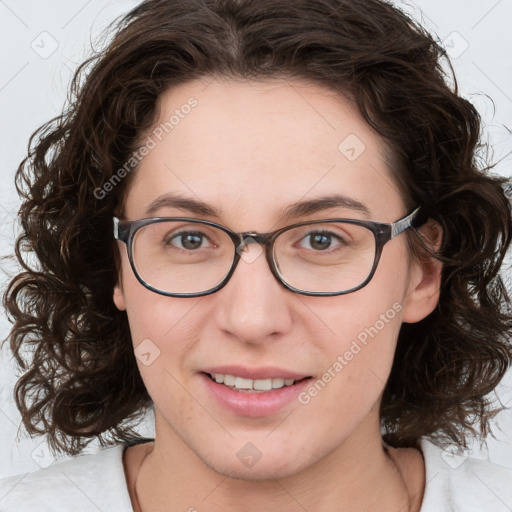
(325, 257)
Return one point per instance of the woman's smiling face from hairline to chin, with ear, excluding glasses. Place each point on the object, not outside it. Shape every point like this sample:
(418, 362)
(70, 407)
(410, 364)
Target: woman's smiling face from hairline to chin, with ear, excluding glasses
(250, 150)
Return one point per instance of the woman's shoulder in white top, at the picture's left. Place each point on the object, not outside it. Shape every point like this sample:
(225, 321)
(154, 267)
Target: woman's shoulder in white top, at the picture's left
(89, 482)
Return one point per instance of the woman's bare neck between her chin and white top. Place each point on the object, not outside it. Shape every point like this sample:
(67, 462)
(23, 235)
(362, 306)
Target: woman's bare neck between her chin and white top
(366, 477)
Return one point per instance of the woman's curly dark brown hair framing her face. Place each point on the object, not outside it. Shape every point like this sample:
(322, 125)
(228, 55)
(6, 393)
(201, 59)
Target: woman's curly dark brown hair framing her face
(80, 379)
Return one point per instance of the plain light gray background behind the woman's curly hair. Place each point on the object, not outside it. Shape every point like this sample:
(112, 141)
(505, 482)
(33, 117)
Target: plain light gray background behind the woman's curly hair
(41, 43)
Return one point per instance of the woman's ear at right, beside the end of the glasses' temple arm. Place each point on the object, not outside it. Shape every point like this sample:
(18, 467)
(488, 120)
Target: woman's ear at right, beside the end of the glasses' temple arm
(424, 278)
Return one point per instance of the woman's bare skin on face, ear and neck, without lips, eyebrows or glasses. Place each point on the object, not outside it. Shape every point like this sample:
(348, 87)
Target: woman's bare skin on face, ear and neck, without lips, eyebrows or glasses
(251, 149)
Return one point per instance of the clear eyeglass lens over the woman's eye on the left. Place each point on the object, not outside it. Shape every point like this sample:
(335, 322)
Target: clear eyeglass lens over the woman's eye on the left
(182, 256)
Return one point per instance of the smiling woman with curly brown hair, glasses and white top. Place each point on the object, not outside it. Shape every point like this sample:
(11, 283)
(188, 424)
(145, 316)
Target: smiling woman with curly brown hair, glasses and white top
(264, 221)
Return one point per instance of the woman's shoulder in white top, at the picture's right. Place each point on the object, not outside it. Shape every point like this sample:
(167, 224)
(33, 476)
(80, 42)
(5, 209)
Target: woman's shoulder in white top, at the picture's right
(461, 483)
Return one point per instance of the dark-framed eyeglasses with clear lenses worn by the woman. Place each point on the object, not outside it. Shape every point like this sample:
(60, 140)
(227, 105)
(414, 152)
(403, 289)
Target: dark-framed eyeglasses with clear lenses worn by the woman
(186, 257)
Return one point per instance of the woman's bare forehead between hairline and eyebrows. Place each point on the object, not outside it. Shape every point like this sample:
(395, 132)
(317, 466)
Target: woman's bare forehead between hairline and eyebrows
(251, 148)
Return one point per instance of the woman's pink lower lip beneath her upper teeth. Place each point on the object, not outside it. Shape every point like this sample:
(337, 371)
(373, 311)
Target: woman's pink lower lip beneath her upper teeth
(254, 404)
